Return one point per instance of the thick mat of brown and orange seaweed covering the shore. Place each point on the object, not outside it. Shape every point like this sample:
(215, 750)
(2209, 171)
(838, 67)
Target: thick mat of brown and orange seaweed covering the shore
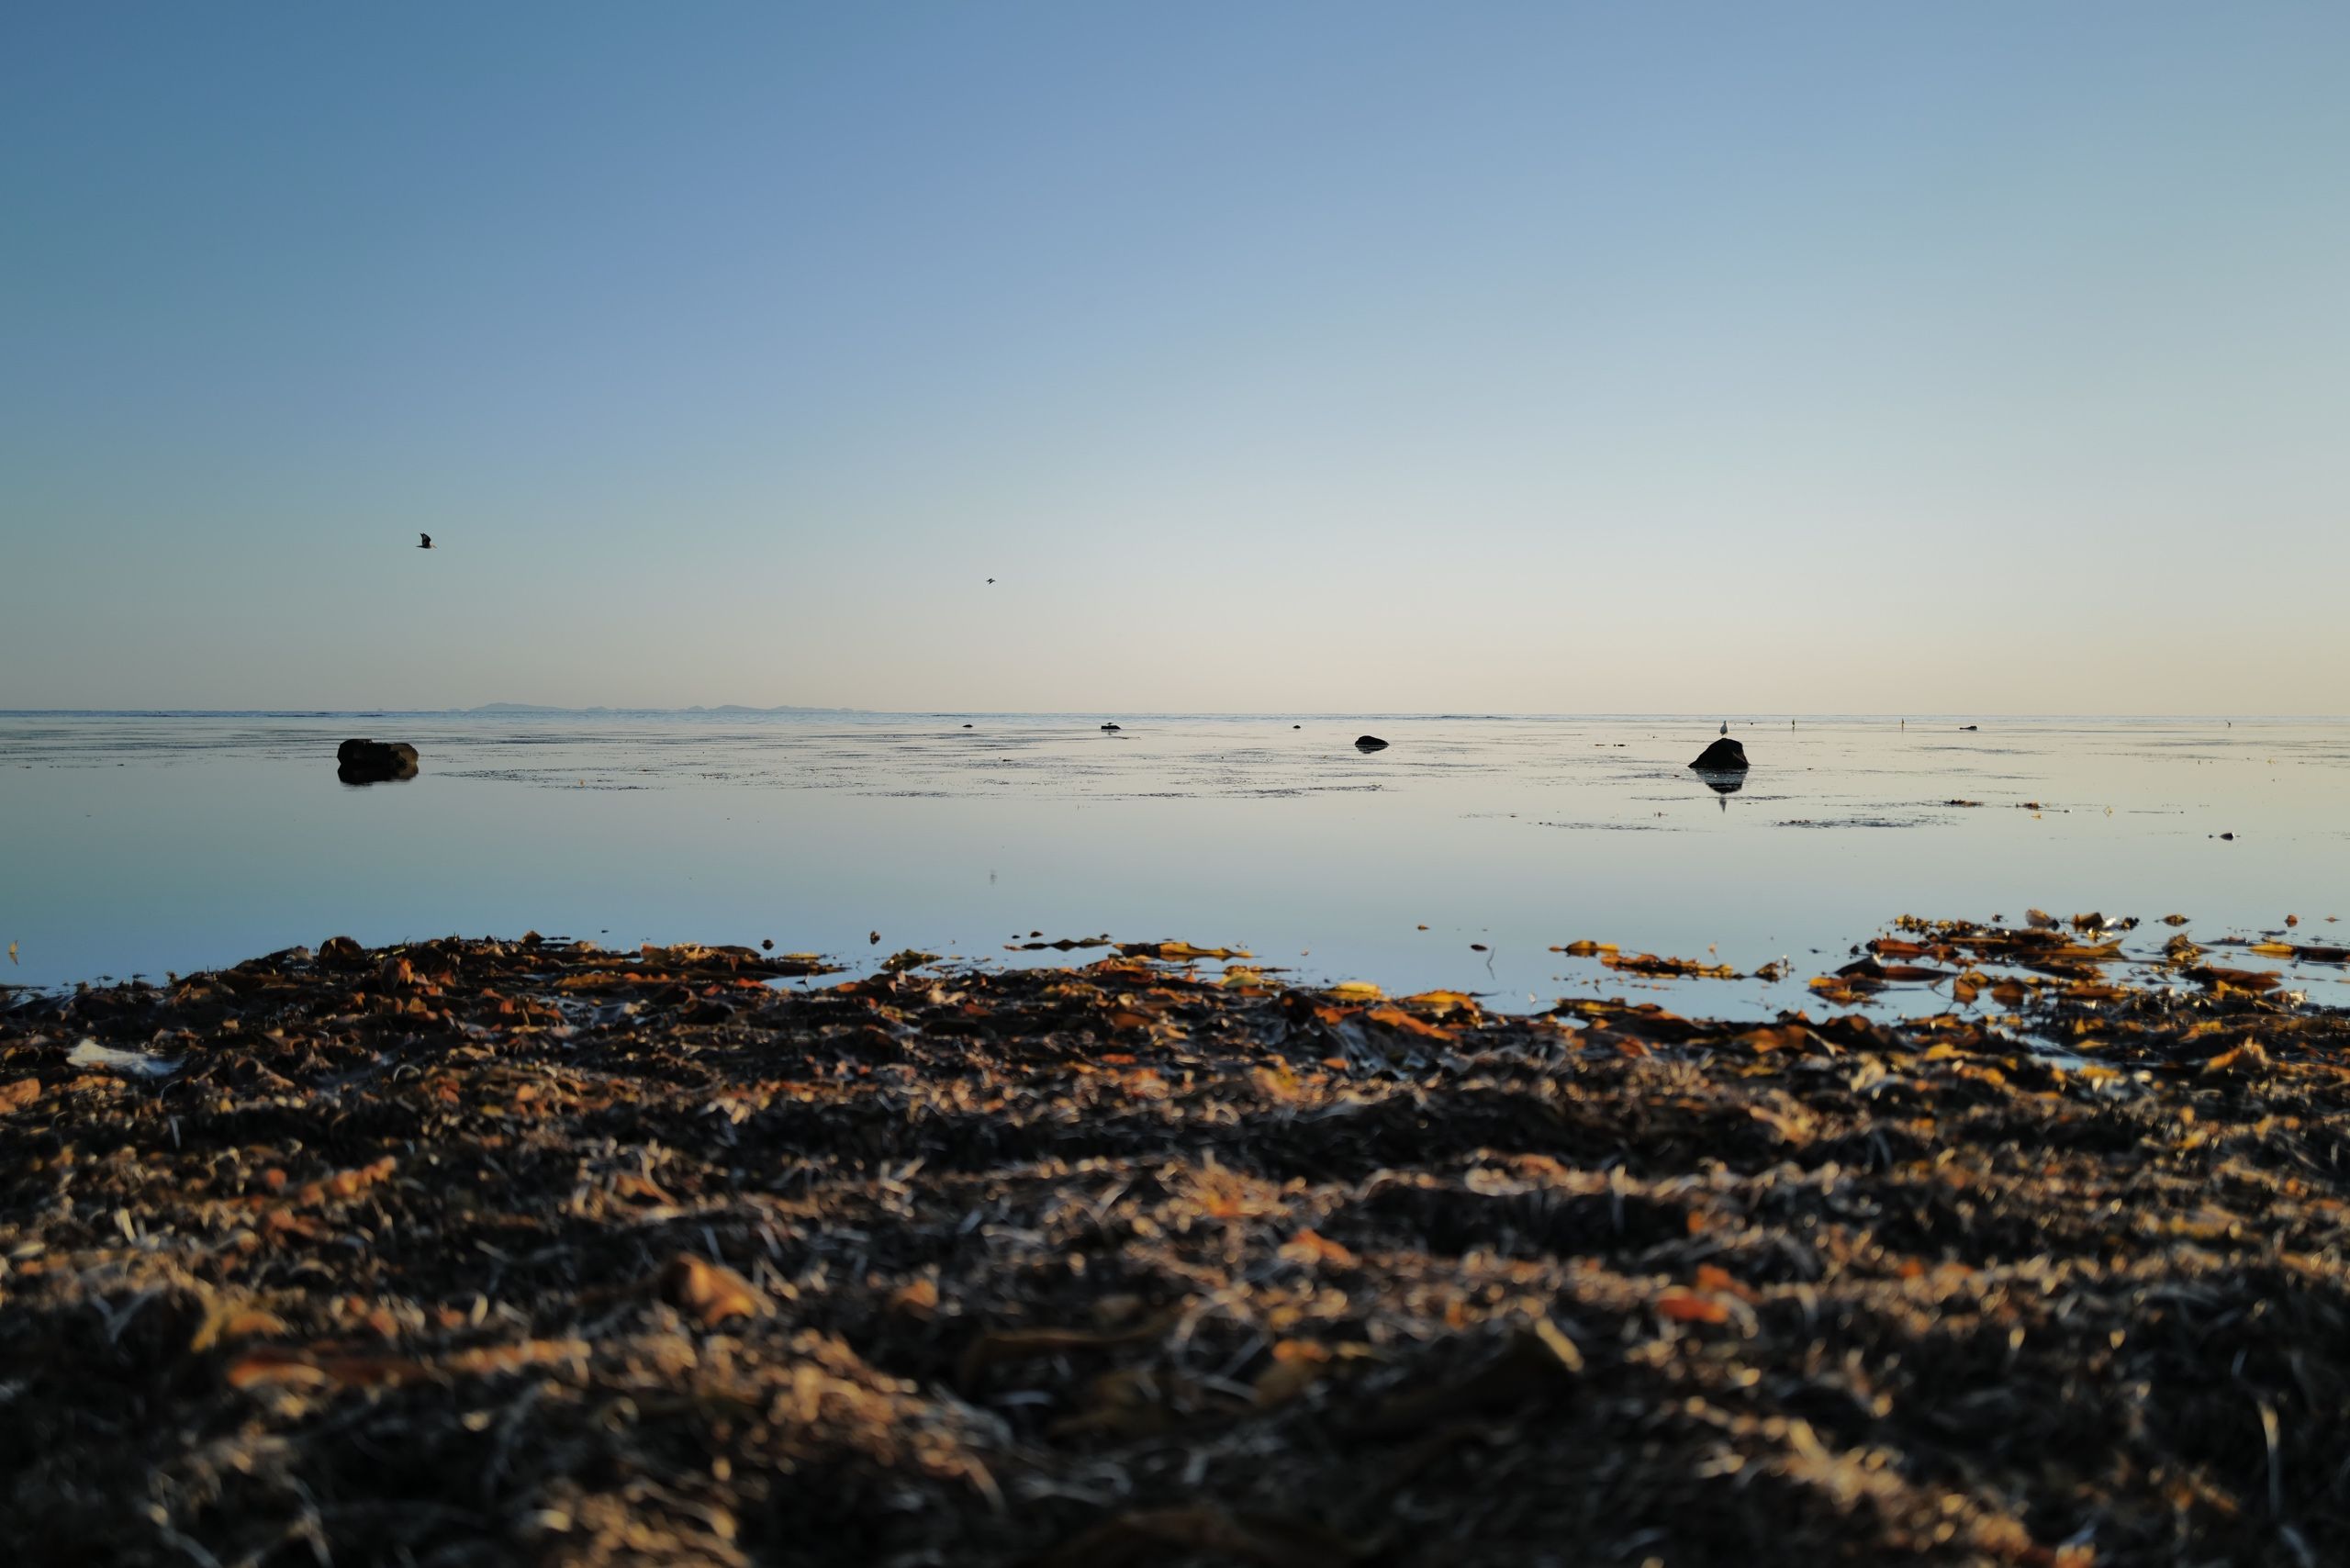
(525, 1252)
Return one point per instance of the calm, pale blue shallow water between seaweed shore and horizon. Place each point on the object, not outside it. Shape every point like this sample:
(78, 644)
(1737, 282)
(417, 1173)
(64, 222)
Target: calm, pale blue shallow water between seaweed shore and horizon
(173, 843)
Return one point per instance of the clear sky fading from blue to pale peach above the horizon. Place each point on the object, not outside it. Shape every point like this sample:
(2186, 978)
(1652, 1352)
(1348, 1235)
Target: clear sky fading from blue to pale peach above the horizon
(1357, 359)
